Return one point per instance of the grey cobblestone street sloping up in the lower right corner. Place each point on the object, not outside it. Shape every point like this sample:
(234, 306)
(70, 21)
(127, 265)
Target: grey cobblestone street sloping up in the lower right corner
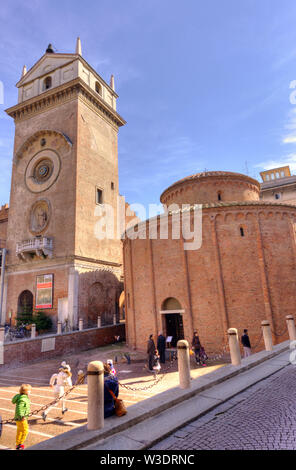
(261, 418)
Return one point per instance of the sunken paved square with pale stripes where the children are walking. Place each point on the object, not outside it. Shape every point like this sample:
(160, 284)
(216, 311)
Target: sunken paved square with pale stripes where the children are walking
(134, 375)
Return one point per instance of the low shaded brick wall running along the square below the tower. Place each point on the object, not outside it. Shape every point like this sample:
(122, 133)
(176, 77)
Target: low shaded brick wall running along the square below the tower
(26, 351)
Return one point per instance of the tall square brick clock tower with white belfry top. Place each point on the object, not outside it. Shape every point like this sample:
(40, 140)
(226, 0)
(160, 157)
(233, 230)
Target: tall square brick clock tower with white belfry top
(65, 166)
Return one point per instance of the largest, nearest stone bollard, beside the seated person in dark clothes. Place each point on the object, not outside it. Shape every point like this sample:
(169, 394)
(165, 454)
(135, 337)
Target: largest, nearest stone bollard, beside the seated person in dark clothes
(95, 404)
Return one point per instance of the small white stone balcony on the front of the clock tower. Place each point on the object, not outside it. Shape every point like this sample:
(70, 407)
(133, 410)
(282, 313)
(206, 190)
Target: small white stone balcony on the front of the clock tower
(40, 247)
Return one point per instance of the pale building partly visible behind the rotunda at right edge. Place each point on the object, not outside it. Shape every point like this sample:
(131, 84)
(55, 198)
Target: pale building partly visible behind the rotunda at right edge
(278, 185)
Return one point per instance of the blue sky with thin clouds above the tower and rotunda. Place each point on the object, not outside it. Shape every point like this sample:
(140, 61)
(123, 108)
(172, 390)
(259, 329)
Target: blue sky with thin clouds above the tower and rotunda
(201, 84)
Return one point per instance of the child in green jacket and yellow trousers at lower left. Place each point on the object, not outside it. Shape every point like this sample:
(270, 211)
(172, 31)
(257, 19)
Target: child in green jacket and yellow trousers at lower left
(22, 410)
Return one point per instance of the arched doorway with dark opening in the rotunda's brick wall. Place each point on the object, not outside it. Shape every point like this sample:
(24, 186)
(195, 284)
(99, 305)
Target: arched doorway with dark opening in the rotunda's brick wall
(173, 320)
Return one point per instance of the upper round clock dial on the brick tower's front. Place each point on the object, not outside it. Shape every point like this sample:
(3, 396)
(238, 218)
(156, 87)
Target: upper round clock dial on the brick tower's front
(42, 171)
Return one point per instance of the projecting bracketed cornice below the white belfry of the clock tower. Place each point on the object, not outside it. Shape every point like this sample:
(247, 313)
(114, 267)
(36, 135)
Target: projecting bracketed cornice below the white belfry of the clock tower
(67, 92)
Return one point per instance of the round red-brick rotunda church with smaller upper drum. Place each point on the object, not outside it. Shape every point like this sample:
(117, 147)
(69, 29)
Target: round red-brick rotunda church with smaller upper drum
(242, 272)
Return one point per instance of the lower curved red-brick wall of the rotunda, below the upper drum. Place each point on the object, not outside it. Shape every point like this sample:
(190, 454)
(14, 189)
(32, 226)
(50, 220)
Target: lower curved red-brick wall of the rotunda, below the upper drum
(233, 280)
